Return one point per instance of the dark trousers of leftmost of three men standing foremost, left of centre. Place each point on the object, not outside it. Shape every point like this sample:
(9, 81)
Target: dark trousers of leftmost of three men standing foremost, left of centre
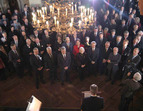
(38, 77)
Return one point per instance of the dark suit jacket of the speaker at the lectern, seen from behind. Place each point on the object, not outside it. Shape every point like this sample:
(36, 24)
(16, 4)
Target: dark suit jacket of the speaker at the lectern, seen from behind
(92, 104)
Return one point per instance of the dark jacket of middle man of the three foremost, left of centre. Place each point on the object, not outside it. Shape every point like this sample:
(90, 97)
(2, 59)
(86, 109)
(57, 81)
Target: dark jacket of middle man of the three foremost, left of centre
(50, 62)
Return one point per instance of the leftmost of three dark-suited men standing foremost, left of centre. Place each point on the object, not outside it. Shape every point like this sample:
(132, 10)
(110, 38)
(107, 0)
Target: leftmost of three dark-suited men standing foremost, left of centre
(37, 66)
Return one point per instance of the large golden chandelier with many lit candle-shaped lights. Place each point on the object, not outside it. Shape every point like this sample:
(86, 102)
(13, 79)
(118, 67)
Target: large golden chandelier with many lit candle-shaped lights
(63, 17)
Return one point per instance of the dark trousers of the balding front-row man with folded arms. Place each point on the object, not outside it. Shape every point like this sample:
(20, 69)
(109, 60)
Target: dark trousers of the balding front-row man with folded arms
(112, 70)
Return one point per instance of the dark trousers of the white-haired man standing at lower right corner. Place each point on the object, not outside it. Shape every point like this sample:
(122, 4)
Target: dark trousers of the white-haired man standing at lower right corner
(124, 103)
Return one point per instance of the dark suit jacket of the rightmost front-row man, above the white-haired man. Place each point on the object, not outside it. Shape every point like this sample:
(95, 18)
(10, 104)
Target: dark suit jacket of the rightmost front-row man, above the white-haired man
(135, 61)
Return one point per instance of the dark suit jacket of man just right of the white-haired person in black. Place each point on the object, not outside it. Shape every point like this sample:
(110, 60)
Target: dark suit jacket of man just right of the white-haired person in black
(93, 55)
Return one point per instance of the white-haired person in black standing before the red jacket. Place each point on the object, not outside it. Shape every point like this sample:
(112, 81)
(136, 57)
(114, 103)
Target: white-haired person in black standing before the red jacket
(81, 58)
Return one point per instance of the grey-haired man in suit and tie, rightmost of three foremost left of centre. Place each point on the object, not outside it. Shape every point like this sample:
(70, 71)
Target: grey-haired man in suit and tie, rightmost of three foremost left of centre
(64, 61)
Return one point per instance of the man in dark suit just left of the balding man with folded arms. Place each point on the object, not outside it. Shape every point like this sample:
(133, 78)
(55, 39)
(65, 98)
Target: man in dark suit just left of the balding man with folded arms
(104, 54)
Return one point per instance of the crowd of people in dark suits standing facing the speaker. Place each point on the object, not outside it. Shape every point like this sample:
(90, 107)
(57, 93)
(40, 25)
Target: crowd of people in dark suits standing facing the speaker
(113, 47)
